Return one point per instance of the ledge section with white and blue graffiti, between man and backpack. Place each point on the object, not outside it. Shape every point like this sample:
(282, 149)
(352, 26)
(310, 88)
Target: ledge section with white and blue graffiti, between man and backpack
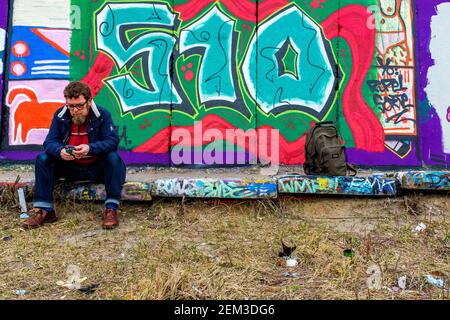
(215, 188)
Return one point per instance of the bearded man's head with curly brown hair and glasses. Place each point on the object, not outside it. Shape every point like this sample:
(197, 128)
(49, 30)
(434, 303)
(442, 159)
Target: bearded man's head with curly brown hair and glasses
(78, 100)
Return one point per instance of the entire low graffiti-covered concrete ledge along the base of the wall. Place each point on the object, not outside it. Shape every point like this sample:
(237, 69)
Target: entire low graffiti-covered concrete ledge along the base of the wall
(223, 186)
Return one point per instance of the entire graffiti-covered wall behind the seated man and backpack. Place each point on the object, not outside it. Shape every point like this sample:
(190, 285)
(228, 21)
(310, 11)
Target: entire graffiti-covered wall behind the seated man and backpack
(204, 82)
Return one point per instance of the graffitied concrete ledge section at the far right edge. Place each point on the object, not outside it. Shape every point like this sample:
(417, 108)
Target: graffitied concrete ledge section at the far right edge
(424, 180)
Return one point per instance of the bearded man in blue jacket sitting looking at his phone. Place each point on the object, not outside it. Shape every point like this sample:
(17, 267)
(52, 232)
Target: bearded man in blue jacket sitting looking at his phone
(81, 145)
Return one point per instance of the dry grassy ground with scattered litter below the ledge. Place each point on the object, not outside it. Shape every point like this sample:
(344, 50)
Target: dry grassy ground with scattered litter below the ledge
(213, 249)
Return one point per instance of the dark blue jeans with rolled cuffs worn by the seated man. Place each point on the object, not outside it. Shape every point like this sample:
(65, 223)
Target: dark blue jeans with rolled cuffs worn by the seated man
(108, 169)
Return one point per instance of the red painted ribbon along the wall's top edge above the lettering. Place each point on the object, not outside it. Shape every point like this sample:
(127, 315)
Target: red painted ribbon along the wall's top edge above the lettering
(243, 9)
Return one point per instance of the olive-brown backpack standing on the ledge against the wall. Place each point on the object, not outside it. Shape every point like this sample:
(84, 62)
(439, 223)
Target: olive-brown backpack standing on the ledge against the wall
(325, 151)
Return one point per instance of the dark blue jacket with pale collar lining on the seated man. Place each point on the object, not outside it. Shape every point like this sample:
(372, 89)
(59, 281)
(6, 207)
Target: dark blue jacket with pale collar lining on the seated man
(101, 132)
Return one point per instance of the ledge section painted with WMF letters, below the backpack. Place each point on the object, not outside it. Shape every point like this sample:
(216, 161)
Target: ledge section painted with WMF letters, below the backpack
(366, 186)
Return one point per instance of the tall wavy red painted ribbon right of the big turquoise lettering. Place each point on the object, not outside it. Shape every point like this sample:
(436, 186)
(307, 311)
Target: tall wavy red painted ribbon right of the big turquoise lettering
(350, 23)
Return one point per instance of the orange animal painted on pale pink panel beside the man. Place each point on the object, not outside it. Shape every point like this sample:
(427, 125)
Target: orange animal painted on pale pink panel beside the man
(32, 114)
